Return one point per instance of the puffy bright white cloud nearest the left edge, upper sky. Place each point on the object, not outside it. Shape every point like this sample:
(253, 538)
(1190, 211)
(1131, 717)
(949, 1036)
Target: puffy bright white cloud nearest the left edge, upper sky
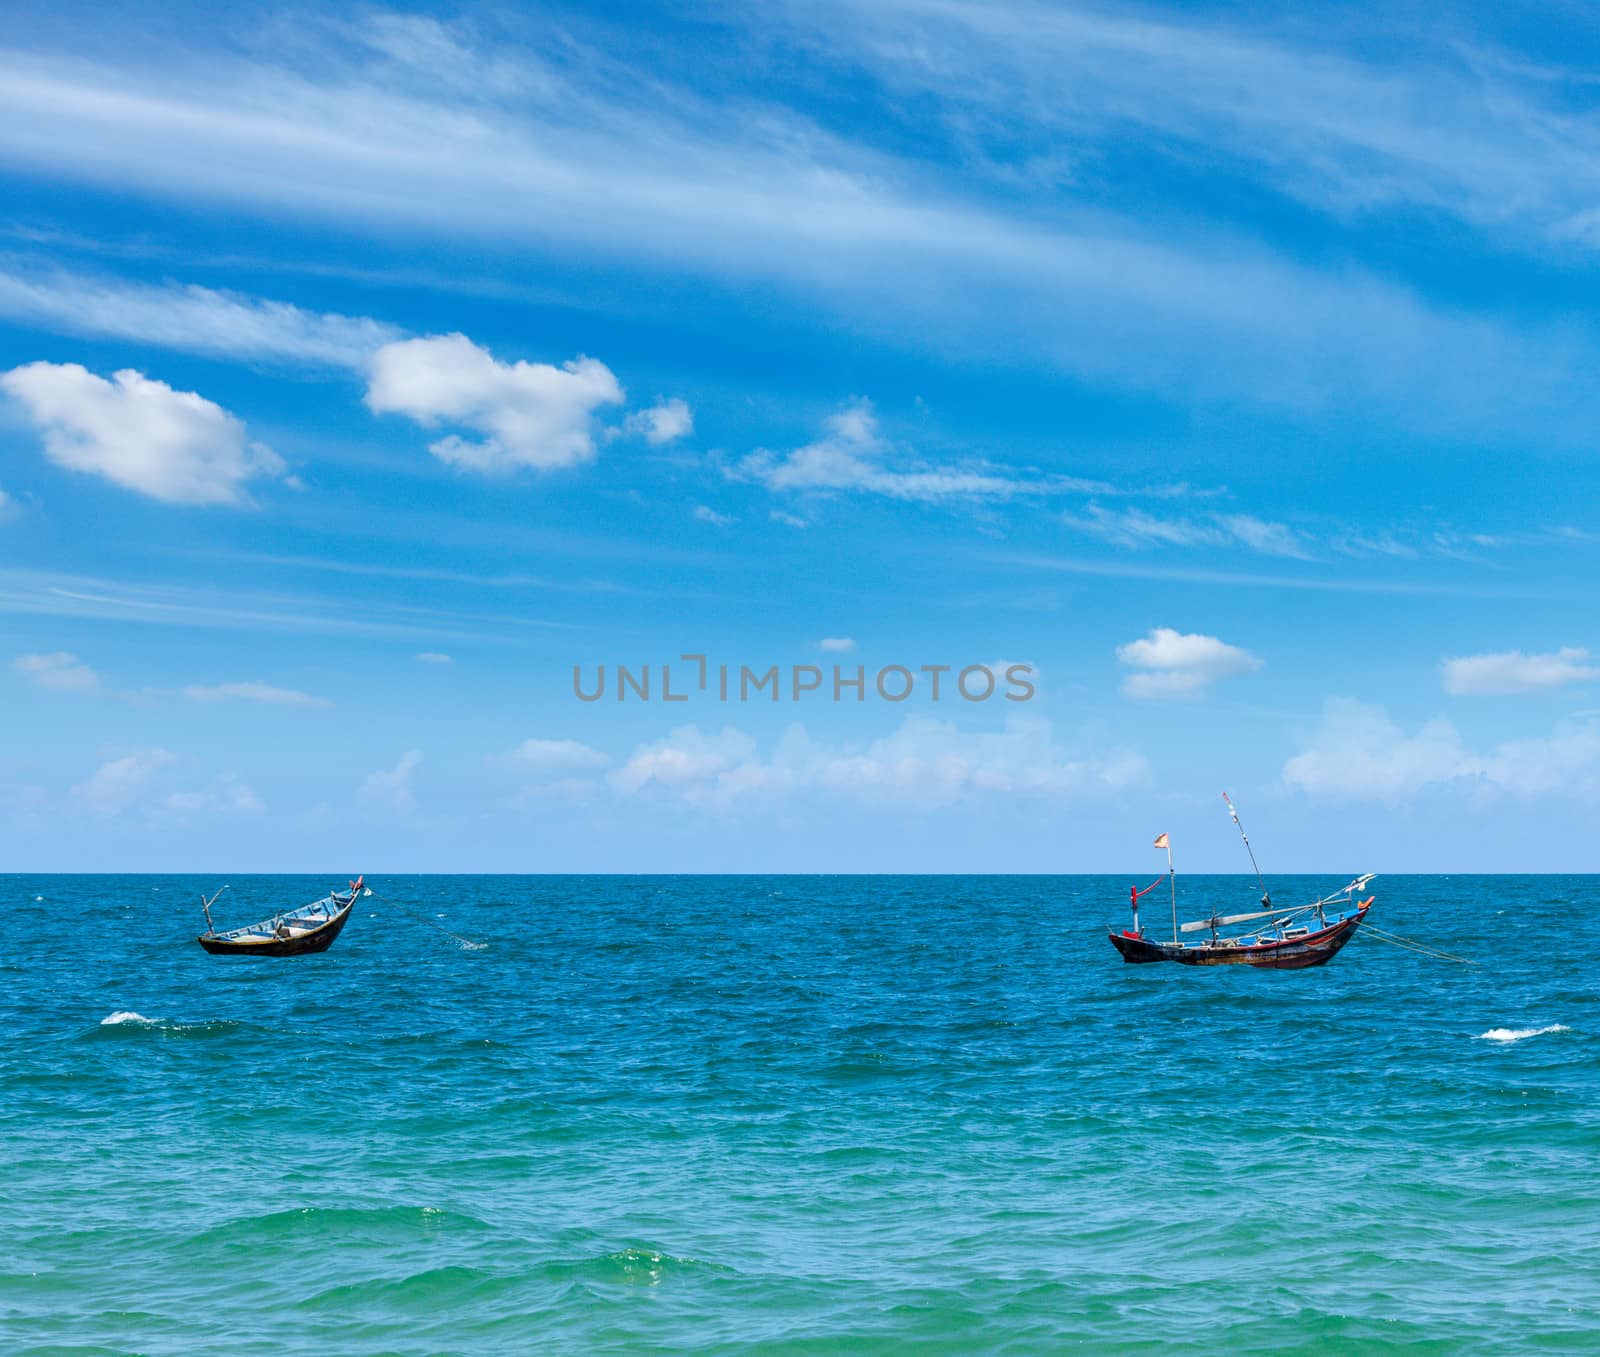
(174, 446)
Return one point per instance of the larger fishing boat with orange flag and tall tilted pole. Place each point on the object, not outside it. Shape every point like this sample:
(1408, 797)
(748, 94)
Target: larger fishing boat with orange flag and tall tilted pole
(1271, 939)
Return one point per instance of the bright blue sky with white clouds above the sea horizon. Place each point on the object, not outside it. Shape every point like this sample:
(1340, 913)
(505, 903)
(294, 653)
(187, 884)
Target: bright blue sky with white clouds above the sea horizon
(372, 378)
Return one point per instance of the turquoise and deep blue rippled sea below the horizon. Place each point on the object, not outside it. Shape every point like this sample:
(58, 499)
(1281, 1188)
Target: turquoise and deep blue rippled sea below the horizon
(793, 1115)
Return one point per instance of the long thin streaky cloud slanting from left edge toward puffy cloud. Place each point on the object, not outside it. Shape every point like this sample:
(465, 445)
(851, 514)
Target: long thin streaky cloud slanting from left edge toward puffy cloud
(191, 319)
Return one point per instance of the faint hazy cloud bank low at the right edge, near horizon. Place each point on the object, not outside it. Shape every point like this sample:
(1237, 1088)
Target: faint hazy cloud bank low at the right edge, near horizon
(1359, 753)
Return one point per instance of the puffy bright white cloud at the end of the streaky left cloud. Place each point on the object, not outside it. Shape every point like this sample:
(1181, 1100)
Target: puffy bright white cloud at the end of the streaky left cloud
(530, 415)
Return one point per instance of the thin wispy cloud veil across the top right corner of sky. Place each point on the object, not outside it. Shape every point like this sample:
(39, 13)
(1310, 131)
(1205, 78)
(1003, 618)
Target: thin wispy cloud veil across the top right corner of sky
(1449, 126)
